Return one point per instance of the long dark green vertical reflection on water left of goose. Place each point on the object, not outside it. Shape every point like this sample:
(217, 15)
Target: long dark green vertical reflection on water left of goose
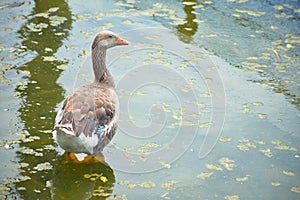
(42, 92)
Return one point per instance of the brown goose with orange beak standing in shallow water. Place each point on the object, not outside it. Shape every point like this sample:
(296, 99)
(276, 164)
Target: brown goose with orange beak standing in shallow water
(87, 120)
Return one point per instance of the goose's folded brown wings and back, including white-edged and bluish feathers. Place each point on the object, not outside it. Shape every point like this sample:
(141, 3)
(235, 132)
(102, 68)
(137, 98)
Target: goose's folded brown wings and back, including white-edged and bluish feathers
(88, 110)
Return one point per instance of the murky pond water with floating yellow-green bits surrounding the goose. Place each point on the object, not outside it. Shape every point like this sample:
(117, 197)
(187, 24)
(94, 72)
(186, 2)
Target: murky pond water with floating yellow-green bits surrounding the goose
(176, 99)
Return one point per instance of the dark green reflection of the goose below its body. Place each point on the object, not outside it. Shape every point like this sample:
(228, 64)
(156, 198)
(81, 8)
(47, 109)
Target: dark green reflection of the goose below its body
(81, 180)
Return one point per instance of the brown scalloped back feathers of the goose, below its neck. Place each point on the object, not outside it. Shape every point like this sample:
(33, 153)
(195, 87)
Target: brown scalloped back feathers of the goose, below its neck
(88, 107)
